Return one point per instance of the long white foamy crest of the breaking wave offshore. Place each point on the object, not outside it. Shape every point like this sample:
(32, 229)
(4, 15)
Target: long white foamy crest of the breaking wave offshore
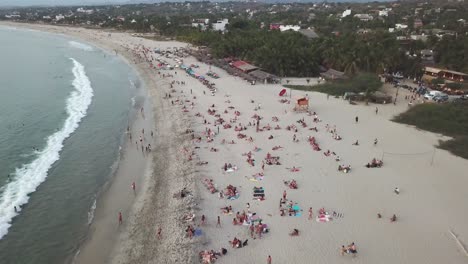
(30, 176)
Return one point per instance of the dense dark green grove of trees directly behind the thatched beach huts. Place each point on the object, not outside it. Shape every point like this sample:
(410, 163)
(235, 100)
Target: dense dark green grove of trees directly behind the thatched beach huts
(293, 54)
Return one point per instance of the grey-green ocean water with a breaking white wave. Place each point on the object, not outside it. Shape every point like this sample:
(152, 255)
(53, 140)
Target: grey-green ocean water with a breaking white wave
(64, 109)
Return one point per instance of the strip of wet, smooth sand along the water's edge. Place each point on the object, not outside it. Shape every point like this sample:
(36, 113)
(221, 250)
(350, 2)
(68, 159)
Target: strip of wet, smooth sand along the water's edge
(96, 248)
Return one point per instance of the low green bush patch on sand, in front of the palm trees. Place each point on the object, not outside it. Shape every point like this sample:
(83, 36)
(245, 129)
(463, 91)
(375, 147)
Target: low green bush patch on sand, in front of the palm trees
(362, 83)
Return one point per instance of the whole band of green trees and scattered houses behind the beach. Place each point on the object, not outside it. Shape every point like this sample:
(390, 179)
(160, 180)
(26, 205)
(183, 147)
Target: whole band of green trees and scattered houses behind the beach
(345, 43)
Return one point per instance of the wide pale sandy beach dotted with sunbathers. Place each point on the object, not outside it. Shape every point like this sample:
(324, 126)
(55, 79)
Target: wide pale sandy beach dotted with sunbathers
(188, 152)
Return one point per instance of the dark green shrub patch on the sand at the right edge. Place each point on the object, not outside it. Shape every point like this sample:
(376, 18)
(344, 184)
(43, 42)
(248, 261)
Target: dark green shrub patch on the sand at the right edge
(447, 119)
